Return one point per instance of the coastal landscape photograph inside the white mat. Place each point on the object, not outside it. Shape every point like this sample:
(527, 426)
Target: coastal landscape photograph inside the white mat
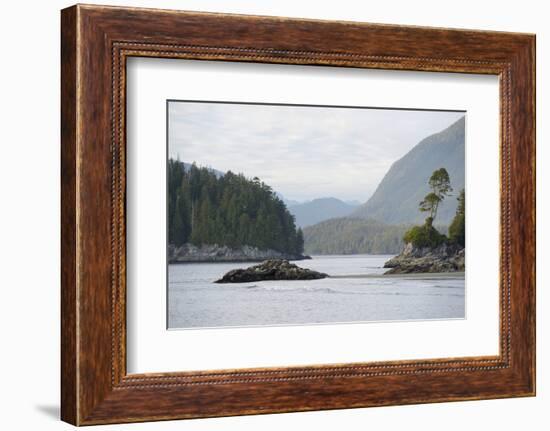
(307, 207)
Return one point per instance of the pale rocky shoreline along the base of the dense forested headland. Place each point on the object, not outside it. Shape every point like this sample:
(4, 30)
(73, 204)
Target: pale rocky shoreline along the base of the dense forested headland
(214, 253)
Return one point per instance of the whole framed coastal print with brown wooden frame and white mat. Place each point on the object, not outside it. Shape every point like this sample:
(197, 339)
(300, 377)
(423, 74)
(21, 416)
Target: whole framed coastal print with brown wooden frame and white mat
(266, 215)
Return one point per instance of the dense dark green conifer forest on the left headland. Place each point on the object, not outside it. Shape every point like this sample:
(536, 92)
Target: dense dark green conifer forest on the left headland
(231, 210)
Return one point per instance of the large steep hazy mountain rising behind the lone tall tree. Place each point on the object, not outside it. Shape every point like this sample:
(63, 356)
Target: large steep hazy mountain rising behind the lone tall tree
(396, 199)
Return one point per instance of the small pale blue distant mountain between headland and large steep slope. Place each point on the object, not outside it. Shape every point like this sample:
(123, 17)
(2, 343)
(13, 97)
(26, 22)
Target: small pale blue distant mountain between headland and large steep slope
(317, 210)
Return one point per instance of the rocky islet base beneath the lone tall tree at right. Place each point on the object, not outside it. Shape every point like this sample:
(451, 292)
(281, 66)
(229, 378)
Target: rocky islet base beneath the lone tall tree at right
(447, 257)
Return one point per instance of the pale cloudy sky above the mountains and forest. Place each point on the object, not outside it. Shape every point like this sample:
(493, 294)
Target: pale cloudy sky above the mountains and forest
(303, 153)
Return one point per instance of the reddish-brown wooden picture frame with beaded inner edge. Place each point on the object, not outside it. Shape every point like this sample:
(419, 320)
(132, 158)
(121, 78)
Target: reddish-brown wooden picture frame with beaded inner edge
(95, 43)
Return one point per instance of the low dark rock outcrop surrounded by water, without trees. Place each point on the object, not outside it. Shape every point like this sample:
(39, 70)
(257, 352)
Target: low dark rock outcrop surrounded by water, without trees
(273, 269)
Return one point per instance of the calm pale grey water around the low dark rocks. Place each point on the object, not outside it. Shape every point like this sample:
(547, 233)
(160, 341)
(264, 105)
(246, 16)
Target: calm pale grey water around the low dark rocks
(357, 293)
